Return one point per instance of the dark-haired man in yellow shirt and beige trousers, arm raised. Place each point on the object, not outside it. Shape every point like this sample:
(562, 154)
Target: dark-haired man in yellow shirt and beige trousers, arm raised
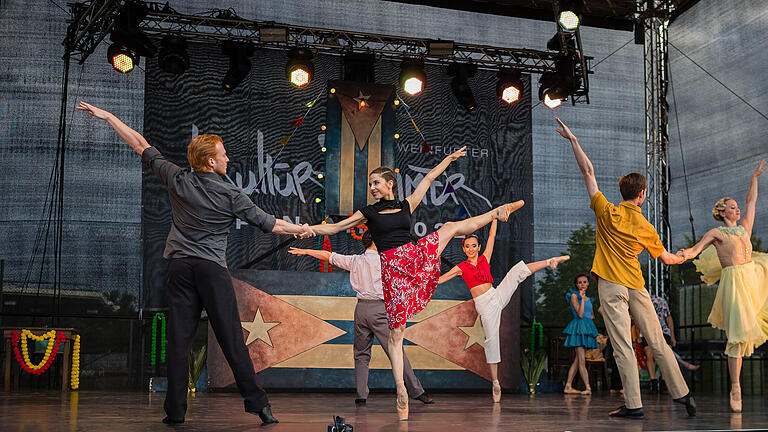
(622, 233)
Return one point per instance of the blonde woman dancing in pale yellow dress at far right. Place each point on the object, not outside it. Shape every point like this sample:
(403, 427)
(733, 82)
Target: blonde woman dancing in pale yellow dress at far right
(741, 306)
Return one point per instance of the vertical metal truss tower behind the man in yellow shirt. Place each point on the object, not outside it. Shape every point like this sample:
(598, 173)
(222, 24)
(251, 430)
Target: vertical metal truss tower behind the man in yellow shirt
(654, 15)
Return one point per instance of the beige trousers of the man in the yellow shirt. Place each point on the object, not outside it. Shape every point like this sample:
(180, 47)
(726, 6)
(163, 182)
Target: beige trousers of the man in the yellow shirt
(617, 302)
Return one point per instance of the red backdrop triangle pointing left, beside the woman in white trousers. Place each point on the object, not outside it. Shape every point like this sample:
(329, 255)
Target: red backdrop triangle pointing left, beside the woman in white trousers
(441, 335)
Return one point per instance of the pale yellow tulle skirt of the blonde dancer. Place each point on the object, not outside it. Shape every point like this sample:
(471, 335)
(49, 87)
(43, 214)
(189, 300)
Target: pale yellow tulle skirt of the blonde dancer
(741, 302)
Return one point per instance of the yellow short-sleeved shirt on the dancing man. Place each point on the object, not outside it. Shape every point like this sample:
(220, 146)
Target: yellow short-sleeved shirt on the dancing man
(622, 233)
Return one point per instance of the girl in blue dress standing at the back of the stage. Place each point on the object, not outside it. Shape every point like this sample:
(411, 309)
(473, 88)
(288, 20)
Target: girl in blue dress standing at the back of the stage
(581, 333)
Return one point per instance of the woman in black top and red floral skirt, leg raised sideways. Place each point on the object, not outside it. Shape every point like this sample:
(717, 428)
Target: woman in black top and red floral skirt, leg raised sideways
(409, 269)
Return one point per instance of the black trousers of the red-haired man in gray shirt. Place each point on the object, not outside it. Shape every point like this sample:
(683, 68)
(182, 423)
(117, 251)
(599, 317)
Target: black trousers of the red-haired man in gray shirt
(194, 284)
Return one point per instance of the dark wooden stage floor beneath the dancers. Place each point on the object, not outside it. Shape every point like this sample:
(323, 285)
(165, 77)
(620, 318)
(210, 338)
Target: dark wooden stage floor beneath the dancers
(123, 411)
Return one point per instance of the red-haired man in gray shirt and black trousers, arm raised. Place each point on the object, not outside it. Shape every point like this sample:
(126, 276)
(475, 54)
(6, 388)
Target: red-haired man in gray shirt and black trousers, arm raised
(204, 206)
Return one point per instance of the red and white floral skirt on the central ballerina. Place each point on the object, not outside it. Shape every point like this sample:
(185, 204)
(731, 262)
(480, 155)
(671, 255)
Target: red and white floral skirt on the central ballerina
(409, 275)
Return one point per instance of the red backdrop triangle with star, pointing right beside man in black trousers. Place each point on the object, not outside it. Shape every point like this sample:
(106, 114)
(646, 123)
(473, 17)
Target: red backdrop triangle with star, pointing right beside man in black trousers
(296, 332)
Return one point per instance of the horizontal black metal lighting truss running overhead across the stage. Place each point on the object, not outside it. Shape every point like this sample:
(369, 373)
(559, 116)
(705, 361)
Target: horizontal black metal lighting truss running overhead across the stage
(93, 20)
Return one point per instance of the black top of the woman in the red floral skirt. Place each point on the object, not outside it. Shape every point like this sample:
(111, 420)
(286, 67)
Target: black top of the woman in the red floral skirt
(389, 230)
